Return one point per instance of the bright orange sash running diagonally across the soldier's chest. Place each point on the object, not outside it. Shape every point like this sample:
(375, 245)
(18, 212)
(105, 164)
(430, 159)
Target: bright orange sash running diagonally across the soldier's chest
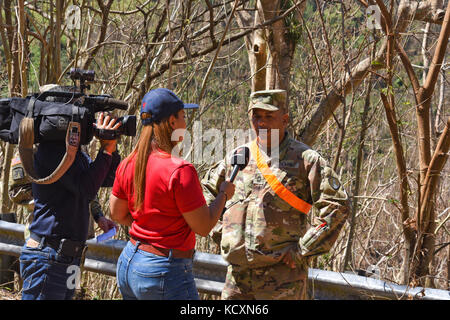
(275, 184)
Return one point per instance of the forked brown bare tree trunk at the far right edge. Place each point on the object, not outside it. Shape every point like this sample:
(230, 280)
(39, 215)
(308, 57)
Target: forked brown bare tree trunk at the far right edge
(420, 256)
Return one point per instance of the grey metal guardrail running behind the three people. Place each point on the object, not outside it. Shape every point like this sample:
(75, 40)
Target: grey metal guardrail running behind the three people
(210, 271)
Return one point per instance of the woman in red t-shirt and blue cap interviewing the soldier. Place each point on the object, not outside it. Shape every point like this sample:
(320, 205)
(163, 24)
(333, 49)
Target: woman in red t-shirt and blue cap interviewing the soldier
(160, 197)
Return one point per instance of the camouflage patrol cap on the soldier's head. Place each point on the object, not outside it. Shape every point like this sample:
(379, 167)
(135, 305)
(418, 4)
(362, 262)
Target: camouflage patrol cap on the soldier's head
(270, 100)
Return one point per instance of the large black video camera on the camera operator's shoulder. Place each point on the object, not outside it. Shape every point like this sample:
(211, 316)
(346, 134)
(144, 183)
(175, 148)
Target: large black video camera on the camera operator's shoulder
(52, 111)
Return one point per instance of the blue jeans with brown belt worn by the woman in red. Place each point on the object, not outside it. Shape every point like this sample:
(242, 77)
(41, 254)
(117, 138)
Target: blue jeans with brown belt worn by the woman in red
(145, 276)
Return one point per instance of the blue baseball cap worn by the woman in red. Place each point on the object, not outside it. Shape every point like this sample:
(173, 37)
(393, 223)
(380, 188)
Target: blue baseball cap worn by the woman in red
(159, 104)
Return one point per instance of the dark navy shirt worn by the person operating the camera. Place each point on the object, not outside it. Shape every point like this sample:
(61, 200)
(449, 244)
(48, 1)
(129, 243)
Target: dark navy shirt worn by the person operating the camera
(62, 208)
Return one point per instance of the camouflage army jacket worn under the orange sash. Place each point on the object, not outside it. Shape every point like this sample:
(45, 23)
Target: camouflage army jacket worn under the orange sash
(259, 228)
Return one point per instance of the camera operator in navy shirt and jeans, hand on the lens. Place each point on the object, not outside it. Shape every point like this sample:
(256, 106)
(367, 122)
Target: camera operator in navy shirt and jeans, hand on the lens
(51, 256)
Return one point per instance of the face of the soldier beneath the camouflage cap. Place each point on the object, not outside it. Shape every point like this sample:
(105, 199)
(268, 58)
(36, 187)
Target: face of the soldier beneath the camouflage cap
(269, 125)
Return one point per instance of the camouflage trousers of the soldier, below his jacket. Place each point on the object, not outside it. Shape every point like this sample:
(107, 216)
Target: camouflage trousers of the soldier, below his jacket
(276, 282)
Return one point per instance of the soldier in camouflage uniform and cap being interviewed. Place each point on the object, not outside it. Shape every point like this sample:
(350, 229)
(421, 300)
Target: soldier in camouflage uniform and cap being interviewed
(266, 241)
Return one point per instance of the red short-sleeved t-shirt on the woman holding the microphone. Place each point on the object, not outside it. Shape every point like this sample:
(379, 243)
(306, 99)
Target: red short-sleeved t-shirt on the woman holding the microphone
(172, 188)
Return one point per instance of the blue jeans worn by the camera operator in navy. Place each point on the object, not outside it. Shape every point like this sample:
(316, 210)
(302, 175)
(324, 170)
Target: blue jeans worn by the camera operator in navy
(47, 275)
